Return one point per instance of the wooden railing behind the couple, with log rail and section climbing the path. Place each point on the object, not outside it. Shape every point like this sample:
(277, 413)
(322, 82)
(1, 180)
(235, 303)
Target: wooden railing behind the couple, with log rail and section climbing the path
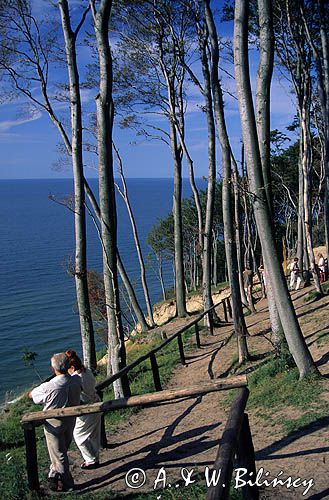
(31, 420)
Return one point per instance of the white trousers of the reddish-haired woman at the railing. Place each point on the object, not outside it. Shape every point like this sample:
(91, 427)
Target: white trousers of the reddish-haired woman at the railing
(87, 435)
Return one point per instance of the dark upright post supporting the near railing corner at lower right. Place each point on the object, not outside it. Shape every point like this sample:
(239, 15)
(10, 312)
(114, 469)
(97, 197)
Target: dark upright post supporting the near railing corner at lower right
(246, 459)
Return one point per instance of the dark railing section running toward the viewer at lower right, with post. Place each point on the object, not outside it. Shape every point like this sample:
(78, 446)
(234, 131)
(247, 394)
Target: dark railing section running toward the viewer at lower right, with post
(236, 443)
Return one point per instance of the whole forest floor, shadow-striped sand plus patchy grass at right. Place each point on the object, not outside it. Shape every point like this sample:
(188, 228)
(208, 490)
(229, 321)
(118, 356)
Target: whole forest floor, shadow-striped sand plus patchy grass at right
(287, 437)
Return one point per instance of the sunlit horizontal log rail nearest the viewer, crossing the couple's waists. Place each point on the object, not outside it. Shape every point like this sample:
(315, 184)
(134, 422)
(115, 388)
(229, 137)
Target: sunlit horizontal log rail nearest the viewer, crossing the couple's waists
(145, 399)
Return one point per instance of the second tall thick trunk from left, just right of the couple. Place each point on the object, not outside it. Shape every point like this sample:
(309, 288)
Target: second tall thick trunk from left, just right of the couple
(105, 115)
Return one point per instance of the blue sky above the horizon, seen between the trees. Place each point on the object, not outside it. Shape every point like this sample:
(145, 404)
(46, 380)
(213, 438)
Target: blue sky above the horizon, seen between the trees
(29, 142)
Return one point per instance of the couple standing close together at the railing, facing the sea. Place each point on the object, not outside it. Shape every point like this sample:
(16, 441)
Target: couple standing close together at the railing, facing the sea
(72, 385)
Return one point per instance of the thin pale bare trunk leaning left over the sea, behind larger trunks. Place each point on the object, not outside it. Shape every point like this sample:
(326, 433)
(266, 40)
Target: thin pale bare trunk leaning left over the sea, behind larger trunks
(125, 197)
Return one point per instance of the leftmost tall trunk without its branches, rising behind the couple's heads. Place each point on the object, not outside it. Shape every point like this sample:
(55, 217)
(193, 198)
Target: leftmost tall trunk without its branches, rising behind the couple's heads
(81, 282)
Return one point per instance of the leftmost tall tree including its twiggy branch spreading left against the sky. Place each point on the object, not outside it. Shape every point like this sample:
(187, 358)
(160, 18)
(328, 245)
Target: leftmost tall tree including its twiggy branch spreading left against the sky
(31, 54)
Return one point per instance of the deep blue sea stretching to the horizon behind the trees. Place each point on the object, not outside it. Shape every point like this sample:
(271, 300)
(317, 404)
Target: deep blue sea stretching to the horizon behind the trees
(37, 295)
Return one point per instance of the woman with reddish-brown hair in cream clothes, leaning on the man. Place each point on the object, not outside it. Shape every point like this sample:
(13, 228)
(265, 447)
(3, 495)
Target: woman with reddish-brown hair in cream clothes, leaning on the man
(87, 430)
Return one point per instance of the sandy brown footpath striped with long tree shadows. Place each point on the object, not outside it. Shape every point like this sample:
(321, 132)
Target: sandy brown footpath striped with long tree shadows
(186, 434)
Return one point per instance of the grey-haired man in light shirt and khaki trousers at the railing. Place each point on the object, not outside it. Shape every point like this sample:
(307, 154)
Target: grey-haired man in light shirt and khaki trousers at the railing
(60, 392)
